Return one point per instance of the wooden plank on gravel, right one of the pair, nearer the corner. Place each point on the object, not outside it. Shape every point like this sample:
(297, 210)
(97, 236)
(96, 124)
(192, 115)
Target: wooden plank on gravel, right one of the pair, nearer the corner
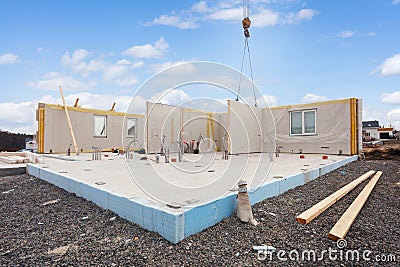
(343, 225)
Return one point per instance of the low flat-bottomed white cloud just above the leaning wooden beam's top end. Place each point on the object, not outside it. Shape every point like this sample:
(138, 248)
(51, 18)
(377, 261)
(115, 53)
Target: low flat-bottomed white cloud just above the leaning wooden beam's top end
(52, 81)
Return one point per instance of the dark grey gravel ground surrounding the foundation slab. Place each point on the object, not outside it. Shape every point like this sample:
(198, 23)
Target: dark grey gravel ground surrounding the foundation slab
(43, 225)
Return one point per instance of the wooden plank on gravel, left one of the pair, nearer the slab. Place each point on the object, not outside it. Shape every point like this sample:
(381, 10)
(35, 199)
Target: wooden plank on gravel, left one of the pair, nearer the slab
(308, 215)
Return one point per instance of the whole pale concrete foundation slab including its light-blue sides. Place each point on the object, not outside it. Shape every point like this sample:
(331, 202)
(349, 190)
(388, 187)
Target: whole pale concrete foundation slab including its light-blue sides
(179, 199)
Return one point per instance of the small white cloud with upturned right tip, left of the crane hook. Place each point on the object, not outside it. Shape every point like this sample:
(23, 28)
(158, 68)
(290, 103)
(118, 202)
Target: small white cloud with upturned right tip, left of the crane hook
(148, 50)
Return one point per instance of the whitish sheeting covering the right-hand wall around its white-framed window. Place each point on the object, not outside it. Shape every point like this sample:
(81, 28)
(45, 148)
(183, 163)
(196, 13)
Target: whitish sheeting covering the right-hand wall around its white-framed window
(332, 128)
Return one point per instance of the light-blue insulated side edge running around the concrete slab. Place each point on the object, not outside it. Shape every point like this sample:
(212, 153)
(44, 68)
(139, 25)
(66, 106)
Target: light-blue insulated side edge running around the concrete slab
(175, 225)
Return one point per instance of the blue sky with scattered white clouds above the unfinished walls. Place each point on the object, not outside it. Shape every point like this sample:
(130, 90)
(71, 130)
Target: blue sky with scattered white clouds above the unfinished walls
(102, 51)
